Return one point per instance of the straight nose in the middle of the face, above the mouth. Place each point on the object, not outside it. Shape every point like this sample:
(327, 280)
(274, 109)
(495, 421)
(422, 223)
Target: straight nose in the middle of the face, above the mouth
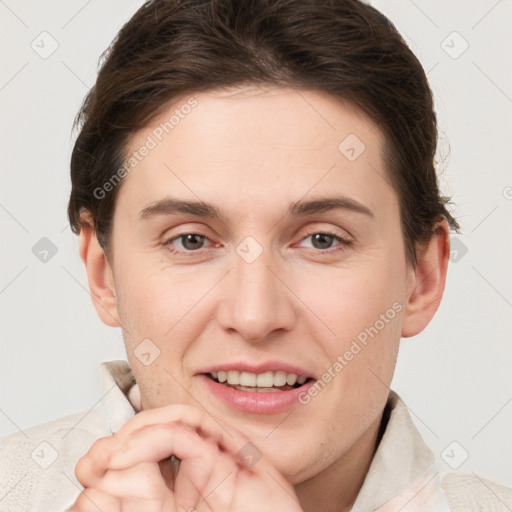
(257, 298)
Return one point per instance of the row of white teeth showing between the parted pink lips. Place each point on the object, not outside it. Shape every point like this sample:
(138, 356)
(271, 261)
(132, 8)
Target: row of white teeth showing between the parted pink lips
(266, 382)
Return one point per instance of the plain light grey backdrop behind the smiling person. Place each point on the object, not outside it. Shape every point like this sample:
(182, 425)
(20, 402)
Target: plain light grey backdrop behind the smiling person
(455, 377)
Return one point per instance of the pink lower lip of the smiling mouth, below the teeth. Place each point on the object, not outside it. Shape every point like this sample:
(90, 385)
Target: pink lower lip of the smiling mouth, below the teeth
(272, 402)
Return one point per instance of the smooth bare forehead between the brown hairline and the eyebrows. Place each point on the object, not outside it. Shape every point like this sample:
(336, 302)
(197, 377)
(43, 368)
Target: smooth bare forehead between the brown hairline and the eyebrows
(251, 145)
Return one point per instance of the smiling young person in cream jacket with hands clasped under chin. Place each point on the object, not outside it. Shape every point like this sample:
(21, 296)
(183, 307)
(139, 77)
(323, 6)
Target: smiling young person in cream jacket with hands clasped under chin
(258, 210)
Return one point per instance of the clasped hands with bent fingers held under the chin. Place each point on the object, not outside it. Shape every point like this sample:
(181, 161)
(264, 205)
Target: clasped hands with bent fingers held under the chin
(131, 471)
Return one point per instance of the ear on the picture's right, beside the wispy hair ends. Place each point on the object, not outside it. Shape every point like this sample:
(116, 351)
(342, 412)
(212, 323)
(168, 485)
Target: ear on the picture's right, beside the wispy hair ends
(427, 281)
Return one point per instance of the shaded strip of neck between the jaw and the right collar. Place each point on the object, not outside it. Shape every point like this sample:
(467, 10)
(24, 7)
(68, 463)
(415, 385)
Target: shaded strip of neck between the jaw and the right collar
(336, 487)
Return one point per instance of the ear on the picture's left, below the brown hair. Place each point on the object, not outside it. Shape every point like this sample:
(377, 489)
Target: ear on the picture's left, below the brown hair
(100, 277)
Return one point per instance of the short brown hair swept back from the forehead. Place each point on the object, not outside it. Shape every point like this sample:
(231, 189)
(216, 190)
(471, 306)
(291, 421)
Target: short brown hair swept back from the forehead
(345, 48)
